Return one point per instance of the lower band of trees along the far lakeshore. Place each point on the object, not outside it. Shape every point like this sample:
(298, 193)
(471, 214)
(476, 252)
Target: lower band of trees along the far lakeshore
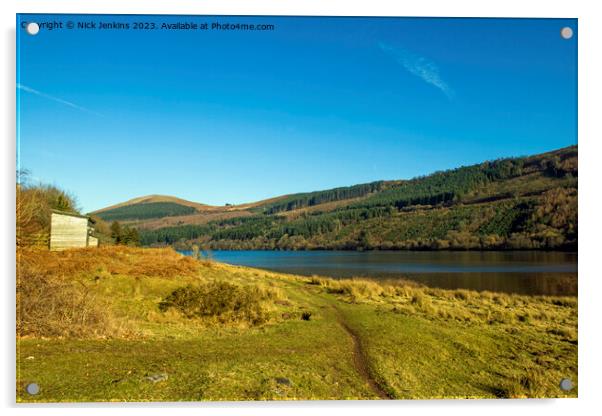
(545, 221)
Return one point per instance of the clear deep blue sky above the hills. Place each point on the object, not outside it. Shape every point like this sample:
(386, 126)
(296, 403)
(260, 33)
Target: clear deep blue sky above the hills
(237, 116)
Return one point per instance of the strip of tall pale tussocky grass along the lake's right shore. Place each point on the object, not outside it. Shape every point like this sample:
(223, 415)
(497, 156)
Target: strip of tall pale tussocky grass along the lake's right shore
(462, 306)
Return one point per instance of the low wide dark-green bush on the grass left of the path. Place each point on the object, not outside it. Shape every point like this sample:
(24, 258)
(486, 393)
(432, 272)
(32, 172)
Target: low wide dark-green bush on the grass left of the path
(223, 301)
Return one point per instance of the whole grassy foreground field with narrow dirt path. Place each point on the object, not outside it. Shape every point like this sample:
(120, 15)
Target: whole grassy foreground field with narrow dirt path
(282, 337)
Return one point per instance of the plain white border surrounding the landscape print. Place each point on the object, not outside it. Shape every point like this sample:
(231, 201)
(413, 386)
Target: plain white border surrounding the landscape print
(590, 137)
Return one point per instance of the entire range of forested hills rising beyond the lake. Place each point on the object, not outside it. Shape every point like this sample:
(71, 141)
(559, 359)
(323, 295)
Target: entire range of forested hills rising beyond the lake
(513, 203)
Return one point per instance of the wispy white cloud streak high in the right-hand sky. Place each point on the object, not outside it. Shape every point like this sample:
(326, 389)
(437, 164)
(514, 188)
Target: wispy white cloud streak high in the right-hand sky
(419, 66)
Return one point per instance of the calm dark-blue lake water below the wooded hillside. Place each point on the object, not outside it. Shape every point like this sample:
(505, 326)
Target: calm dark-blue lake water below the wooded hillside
(525, 272)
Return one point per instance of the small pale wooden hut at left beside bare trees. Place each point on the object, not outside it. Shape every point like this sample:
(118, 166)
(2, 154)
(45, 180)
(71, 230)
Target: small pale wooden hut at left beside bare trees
(69, 230)
